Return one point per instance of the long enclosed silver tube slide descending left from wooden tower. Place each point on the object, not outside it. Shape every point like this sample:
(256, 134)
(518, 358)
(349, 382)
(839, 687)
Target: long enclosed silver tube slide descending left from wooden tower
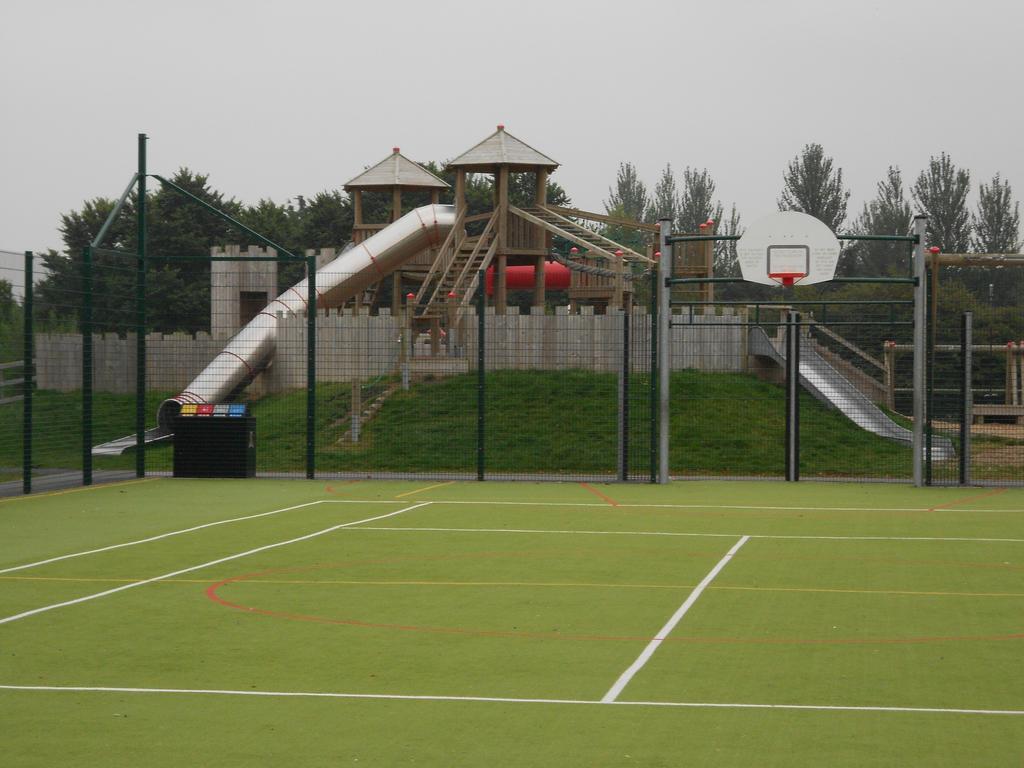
(249, 351)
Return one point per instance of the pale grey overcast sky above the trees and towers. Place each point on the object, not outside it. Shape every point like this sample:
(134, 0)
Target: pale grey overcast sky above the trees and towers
(275, 100)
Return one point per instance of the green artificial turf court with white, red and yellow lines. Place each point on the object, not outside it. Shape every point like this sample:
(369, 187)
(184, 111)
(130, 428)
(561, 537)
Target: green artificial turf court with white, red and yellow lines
(169, 623)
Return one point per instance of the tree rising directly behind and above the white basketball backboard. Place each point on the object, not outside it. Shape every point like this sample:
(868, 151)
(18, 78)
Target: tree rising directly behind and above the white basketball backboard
(813, 186)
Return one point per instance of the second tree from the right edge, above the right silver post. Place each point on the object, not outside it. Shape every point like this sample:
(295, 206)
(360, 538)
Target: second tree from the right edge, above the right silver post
(941, 193)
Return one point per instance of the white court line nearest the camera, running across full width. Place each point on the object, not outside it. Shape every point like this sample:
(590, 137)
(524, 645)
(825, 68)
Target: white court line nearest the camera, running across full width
(500, 700)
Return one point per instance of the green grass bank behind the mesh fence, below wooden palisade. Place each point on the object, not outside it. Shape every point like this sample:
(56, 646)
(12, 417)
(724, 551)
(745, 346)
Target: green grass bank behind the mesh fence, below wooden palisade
(537, 422)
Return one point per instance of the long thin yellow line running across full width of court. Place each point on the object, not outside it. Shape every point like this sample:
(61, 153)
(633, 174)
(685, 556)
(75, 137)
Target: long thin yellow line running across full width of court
(601, 585)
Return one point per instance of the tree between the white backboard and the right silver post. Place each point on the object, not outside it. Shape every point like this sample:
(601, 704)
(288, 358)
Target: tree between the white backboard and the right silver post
(889, 214)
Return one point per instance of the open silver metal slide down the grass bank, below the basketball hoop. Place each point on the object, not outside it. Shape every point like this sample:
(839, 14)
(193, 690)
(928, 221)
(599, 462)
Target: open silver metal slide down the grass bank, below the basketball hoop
(834, 390)
